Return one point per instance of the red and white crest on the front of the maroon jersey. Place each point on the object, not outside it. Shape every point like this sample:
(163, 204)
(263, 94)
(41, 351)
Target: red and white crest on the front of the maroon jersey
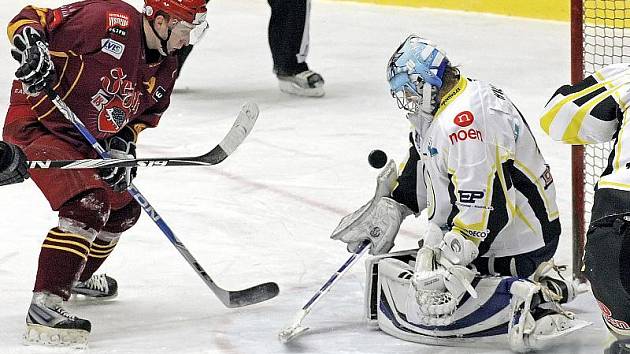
(116, 102)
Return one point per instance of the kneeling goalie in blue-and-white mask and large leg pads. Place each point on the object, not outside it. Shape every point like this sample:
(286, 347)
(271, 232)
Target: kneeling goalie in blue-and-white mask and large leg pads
(484, 270)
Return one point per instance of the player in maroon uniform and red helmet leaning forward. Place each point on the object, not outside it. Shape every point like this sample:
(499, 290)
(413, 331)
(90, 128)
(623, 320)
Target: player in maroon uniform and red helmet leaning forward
(115, 68)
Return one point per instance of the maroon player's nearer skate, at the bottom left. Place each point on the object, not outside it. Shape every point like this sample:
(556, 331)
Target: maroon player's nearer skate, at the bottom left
(48, 323)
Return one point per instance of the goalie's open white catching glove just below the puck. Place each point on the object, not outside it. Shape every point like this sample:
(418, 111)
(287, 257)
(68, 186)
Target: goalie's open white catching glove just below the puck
(378, 220)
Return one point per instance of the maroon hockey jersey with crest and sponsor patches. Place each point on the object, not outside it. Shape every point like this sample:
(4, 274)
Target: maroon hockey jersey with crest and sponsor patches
(105, 73)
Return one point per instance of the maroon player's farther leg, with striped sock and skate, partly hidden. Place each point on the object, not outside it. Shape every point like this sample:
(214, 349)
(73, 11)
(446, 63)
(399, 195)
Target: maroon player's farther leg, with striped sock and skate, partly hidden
(93, 286)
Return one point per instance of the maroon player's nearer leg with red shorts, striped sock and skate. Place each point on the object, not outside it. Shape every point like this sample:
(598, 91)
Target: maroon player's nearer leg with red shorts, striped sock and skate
(82, 202)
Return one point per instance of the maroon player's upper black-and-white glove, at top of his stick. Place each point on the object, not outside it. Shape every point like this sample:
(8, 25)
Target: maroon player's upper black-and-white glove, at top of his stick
(36, 68)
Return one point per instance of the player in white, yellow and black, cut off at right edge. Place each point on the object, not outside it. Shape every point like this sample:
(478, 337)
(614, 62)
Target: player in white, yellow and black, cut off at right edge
(592, 111)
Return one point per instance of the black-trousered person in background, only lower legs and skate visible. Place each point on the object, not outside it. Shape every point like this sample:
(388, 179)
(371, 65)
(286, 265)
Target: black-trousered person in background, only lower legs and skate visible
(289, 40)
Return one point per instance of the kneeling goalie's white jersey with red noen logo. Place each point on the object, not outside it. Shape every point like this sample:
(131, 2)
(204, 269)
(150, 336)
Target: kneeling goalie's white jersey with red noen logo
(477, 170)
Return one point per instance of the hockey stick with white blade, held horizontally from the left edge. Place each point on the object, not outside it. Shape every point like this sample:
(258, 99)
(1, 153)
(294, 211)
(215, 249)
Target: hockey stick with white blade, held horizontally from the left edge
(242, 126)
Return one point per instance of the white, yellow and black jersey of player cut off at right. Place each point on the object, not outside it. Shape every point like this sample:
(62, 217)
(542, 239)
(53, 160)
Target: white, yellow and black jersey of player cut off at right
(596, 111)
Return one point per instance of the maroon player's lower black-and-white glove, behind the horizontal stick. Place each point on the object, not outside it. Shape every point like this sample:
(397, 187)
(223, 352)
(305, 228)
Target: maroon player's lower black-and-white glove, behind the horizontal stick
(120, 146)
